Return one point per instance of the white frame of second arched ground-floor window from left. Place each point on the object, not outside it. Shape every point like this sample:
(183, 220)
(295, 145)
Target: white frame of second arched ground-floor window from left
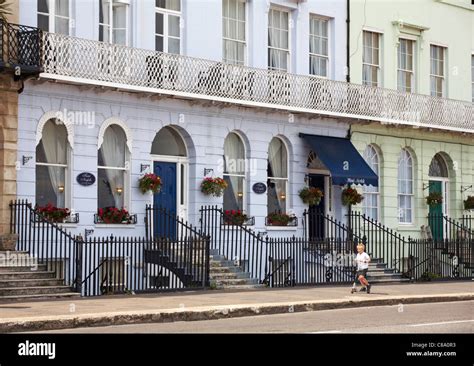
(126, 169)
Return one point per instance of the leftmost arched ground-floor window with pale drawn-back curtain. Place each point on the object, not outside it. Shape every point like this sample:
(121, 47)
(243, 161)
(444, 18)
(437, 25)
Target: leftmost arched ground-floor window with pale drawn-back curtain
(52, 162)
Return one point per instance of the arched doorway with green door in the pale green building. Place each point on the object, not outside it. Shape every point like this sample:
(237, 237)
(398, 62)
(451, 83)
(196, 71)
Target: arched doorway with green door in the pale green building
(438, 183)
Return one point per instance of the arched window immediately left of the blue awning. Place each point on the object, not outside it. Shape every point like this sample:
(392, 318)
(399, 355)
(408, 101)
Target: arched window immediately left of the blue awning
(277, 173)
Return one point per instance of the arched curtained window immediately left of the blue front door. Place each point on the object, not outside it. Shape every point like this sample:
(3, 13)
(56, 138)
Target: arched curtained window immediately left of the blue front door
(113, 168)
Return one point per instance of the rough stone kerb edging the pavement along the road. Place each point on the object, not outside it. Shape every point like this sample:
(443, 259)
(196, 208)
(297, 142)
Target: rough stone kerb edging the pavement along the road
(214, 312)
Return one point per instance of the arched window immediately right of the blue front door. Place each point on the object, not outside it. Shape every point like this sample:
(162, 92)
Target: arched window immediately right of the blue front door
(234, 172)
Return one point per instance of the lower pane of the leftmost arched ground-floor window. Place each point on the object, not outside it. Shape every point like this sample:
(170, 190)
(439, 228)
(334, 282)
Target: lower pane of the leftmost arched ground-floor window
(48, 181)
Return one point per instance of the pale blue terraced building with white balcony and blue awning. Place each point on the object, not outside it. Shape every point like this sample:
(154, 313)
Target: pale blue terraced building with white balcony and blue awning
(253, 92)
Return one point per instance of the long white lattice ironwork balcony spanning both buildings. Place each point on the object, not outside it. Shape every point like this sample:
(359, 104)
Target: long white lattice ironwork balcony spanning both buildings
(90, 62)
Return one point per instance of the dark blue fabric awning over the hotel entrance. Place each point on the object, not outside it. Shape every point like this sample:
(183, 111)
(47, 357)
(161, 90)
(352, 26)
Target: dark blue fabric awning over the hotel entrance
(342, 159)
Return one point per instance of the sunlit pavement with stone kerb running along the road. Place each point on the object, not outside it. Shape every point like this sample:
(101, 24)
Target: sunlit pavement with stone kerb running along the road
(217, 304)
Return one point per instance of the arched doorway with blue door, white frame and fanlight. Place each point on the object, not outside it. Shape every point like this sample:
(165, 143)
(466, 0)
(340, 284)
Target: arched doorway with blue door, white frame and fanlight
(170, 162)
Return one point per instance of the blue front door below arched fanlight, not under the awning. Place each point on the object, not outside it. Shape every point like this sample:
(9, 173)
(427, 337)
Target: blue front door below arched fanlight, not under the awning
(164, 225)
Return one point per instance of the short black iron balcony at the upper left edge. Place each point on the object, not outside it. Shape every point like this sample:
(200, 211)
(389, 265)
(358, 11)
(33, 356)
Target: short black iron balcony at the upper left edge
(20, 49)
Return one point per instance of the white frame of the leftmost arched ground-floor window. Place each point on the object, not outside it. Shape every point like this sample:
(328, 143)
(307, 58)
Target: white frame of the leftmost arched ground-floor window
(67, 167)
